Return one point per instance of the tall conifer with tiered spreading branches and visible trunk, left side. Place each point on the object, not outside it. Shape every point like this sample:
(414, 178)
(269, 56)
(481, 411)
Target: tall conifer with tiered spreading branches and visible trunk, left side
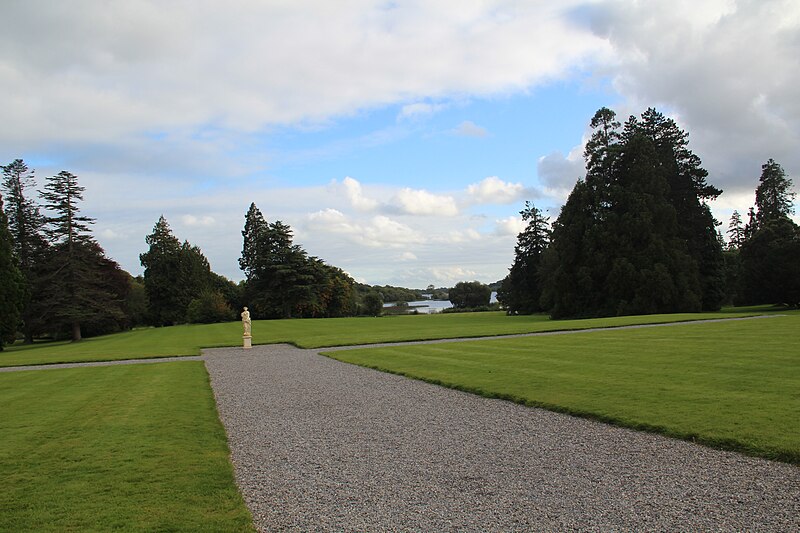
(77, 269)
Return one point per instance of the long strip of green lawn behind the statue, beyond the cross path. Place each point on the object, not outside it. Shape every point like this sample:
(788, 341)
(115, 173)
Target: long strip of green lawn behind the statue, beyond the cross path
(313, 333)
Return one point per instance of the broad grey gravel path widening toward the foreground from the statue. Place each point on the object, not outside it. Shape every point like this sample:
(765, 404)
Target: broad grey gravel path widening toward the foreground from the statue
(321, 445)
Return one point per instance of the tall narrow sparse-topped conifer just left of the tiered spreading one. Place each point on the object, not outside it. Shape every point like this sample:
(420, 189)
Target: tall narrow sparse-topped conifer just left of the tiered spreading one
(26, 224)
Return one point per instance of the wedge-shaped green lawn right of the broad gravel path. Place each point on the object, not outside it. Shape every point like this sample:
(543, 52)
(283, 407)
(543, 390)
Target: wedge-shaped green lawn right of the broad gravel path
(732, 385)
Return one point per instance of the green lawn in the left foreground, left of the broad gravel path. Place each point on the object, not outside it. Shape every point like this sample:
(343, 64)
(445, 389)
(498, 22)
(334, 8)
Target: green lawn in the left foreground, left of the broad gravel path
(131, 448)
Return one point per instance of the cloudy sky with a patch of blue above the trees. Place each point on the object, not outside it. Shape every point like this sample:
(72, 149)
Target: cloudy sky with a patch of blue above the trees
(398, 139)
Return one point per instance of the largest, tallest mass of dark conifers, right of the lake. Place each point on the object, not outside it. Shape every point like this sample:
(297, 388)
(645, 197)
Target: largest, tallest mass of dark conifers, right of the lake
(636, 235)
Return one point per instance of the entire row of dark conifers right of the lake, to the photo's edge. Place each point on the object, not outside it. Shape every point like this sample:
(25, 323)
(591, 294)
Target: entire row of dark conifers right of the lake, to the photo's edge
(636, 235)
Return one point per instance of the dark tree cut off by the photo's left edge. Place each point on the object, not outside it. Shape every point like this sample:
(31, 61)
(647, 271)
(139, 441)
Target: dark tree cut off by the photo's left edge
(11, 284)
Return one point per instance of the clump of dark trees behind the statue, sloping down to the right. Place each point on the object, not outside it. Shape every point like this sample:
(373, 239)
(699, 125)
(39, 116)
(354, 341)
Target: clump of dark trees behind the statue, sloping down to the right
(283, 281)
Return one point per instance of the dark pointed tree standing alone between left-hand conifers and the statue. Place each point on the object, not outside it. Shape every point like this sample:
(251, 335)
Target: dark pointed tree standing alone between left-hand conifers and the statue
(174, 275)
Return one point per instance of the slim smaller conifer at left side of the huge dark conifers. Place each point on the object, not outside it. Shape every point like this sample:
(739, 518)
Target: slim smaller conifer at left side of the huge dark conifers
(520, 291)
